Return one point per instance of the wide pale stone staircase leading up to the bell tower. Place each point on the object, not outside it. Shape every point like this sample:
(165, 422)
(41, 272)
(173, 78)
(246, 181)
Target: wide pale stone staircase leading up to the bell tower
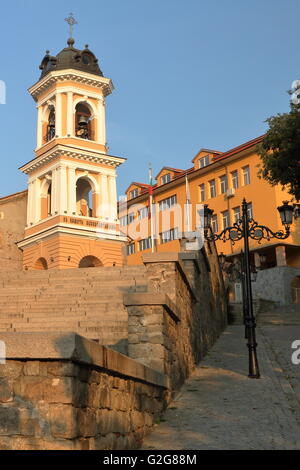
(86, 301)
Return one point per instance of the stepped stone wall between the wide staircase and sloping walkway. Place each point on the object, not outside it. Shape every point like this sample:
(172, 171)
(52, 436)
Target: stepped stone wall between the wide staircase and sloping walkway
(171, 328)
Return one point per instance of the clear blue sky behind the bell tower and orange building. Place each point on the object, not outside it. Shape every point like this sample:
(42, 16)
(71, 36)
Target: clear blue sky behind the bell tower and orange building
(187, 74)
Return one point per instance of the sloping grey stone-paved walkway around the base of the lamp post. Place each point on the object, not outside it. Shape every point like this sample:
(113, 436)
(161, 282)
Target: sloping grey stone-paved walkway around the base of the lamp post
(219, 407)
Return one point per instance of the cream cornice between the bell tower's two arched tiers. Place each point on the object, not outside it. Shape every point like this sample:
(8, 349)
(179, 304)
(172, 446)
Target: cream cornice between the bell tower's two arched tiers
(67, 151)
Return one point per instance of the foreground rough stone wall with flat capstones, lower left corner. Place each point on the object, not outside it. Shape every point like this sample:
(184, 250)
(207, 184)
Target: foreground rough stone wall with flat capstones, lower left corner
(71, 393)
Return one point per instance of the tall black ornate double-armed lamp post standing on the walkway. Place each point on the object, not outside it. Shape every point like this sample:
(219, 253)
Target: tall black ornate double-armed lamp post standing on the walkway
(245, 228)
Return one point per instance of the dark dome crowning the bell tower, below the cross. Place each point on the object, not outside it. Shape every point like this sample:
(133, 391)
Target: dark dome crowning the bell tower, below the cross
(71, 58)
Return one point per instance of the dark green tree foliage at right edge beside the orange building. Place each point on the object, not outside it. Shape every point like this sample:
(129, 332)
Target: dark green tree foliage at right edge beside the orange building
(280, 150)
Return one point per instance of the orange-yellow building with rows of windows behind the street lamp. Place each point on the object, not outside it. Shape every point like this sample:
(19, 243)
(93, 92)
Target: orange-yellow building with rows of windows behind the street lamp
(220, 180)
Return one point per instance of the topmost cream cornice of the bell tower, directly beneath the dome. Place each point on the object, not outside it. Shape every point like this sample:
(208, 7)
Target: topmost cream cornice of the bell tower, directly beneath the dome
(73, 75)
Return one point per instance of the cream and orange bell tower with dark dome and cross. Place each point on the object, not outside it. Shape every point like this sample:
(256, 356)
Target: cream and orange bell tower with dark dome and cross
(72, 196)
